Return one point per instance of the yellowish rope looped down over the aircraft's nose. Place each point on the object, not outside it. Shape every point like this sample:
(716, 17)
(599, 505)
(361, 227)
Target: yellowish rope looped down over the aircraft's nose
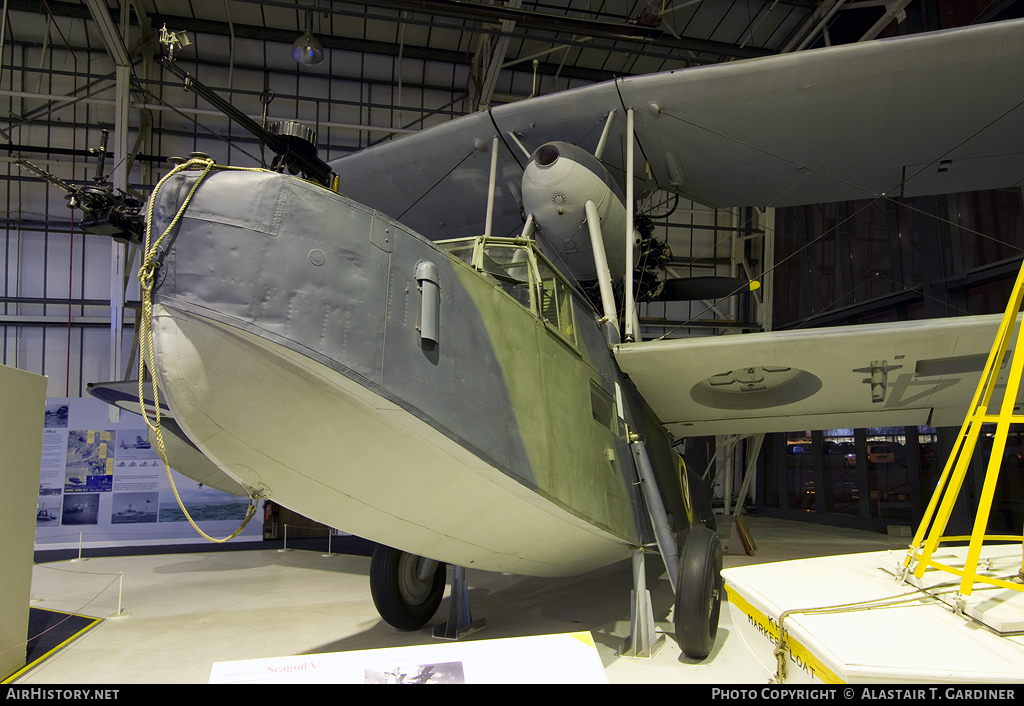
(147, 276)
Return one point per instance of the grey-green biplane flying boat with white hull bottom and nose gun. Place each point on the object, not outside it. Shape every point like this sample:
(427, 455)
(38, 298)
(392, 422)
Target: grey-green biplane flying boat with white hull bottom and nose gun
(353, 342)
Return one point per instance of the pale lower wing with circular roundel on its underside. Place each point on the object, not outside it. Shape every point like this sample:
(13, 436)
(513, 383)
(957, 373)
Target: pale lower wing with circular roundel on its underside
(906, 373)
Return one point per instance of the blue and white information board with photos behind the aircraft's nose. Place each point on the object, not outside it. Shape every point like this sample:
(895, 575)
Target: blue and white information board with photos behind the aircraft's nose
(102, 484)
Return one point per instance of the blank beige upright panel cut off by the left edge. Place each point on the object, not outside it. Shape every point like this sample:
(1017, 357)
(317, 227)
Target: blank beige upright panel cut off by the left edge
(23, 408)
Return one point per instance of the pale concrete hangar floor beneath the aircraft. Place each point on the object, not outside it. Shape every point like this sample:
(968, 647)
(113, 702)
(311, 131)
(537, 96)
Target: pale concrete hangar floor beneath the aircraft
(189, 611)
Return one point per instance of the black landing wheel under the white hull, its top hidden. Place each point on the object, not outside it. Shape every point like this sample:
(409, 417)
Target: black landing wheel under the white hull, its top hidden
(404, 599)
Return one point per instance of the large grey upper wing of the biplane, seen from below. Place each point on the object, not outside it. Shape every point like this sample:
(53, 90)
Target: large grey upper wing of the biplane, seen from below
(934, 113)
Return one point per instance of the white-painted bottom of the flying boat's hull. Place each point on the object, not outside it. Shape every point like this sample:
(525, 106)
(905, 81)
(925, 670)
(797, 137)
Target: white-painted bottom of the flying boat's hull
(318, 442)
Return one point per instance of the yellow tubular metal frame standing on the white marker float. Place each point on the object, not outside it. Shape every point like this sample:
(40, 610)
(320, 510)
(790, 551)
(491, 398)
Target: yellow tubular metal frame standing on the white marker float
(945, 497)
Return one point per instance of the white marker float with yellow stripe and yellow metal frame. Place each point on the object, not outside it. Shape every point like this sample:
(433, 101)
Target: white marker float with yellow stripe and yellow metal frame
(958, 610)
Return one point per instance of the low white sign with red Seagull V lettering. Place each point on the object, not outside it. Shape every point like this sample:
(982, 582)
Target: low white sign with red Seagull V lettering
(565, 658)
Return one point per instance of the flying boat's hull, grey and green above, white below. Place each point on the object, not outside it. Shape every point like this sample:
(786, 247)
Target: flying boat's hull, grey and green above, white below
(286, 326)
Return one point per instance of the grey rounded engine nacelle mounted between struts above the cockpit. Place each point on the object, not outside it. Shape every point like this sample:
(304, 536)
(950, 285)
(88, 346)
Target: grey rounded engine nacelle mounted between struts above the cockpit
(558, 184)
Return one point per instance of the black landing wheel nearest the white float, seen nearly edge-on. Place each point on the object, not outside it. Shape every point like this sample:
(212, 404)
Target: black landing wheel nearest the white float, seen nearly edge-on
(699, 593)
